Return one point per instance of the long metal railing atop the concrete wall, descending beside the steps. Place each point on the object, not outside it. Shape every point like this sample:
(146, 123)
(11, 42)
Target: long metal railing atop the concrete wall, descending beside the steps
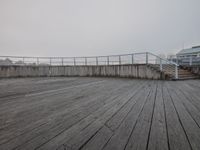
(125, 59)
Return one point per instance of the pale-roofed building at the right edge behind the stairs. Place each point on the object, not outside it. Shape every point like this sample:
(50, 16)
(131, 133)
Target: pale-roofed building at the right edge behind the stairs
(190, 52)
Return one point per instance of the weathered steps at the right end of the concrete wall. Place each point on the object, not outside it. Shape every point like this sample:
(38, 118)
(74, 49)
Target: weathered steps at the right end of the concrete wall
(169, 72)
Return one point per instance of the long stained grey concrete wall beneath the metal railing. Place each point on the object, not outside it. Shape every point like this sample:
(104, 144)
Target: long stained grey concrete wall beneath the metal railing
(134, 71)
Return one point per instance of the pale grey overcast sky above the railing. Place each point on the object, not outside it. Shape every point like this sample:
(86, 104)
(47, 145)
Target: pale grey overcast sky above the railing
(97, 27)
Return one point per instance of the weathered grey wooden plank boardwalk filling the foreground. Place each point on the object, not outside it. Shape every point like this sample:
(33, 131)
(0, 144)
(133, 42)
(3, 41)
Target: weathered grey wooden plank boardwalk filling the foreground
(99, 114)
